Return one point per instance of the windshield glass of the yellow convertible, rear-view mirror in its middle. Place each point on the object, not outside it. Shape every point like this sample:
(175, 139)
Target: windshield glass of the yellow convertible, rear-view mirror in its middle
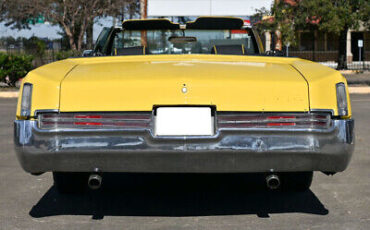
(202, 42)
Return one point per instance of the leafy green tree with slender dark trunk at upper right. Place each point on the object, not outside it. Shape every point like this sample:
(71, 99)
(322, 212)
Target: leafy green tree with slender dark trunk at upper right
(332, 16)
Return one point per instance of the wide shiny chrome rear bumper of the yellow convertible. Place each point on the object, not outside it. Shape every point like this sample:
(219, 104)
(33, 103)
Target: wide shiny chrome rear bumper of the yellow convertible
(230, 151)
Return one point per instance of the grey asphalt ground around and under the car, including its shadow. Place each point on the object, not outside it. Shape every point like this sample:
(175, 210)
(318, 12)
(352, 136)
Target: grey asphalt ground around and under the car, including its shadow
(171, 202)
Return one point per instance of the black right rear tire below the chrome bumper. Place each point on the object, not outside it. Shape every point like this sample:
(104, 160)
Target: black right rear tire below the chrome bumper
(297, 181)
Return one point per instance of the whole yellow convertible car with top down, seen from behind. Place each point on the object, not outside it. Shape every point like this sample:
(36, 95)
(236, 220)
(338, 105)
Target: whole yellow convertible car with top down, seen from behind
(200, 97)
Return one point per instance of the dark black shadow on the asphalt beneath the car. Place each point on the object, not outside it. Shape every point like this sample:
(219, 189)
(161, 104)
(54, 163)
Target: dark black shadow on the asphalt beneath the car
(178, 195)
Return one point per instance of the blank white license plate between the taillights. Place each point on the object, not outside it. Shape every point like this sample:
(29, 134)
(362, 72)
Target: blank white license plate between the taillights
(184, 121)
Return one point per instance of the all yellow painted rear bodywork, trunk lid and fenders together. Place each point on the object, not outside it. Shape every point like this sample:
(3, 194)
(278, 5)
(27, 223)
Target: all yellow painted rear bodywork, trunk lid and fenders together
(228, 82)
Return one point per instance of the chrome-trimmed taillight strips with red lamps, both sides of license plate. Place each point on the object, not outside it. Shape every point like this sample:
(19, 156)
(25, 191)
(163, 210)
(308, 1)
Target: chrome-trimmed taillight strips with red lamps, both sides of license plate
(224, 121)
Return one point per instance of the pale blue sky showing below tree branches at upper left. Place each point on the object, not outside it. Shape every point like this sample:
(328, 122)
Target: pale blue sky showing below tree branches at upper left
(47, 30)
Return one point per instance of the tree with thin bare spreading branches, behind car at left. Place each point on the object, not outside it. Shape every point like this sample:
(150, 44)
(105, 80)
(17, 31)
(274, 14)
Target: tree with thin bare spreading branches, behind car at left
(73, 16)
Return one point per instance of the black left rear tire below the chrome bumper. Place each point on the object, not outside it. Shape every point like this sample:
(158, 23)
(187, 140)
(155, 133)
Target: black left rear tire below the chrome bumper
(70, 182)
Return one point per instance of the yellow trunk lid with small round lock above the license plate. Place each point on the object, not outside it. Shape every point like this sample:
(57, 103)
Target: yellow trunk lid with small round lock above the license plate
(139, 84)
